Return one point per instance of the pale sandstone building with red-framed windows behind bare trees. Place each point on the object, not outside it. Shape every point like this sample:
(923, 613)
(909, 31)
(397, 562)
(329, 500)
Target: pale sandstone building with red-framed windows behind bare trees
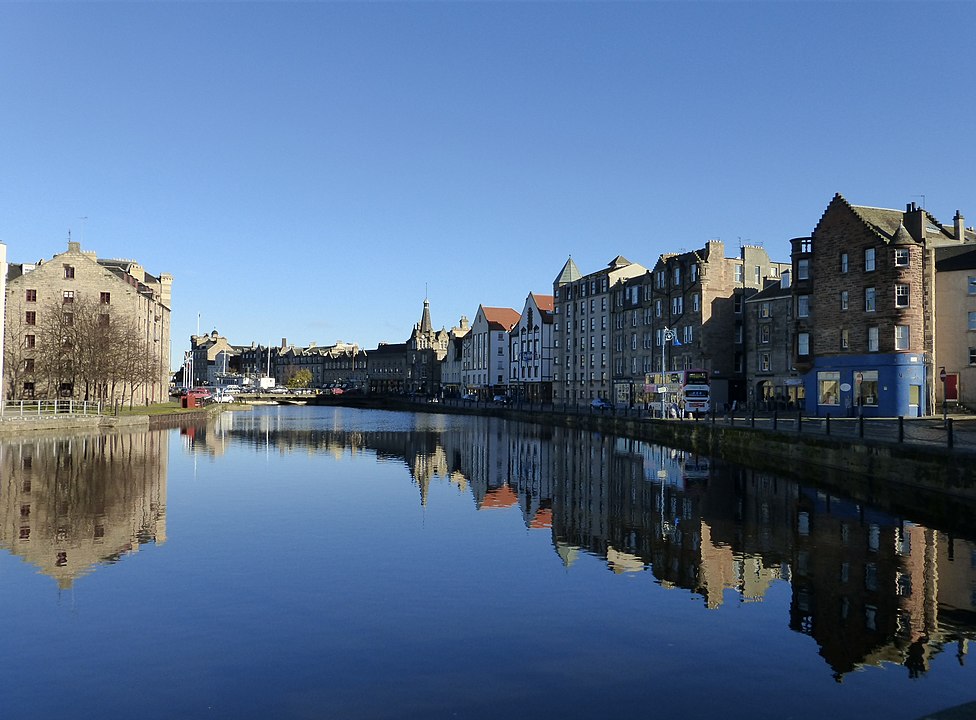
(88, 329)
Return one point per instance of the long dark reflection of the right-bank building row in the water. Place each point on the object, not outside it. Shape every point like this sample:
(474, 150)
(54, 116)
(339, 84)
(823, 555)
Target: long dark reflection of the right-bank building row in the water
(870, 588)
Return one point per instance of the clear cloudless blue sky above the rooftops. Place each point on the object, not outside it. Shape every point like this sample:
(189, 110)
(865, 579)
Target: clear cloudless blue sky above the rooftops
(310, 170)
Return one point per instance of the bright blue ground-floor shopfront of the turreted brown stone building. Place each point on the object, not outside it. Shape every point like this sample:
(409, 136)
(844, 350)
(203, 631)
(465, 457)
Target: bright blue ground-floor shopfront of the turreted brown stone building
(869, 385)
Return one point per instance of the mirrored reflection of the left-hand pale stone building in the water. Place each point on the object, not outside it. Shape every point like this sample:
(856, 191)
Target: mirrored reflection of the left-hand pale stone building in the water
(70, 504)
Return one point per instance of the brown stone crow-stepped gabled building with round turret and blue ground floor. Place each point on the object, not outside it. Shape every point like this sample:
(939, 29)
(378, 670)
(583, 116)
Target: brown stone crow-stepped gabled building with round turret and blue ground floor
(864, 299)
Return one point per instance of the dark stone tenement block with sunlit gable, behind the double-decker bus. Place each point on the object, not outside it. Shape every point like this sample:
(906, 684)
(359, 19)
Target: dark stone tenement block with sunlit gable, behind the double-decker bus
(687, 313)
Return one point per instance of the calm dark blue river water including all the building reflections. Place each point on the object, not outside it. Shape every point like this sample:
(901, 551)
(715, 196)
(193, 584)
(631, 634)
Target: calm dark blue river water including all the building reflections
(333, 563)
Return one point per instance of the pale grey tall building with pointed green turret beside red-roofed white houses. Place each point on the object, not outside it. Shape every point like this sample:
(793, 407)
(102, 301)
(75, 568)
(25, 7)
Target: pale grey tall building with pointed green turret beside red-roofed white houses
(581, 329)
